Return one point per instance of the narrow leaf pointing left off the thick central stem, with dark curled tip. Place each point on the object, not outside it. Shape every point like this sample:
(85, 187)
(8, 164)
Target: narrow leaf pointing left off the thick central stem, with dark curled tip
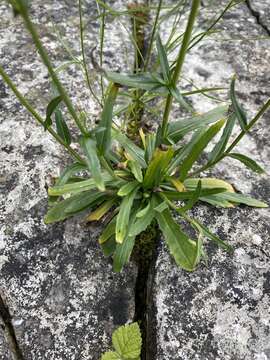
(137, 81)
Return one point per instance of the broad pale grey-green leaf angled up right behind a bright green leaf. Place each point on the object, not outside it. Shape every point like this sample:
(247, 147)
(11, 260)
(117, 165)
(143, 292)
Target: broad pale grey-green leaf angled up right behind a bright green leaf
(178, 129)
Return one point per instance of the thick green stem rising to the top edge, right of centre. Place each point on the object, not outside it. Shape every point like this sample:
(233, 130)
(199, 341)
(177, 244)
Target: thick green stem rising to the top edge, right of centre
(179, 63)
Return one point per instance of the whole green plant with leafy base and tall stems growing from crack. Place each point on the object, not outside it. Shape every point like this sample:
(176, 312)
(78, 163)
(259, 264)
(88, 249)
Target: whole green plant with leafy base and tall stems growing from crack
(141, 183)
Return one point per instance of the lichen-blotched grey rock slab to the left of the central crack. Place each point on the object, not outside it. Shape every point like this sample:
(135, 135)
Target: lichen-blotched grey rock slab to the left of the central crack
(63, 296)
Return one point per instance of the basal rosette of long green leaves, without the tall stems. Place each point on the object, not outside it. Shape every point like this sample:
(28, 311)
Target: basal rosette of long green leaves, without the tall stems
(132, 186)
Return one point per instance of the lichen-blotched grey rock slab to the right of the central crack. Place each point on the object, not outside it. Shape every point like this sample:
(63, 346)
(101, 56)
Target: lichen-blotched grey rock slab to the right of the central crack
(221, 311)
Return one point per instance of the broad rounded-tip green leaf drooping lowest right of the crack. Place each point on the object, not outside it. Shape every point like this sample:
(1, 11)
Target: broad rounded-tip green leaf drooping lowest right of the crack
(181, 247)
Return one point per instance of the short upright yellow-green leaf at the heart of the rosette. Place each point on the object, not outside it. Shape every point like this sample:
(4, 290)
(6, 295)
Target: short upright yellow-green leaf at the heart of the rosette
(157, 167)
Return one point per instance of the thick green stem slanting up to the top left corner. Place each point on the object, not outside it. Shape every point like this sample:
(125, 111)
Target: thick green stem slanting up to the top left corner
(45, 58)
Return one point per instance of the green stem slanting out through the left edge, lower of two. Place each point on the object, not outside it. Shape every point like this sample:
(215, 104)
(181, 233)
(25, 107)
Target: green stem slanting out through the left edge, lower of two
(35, 114)
